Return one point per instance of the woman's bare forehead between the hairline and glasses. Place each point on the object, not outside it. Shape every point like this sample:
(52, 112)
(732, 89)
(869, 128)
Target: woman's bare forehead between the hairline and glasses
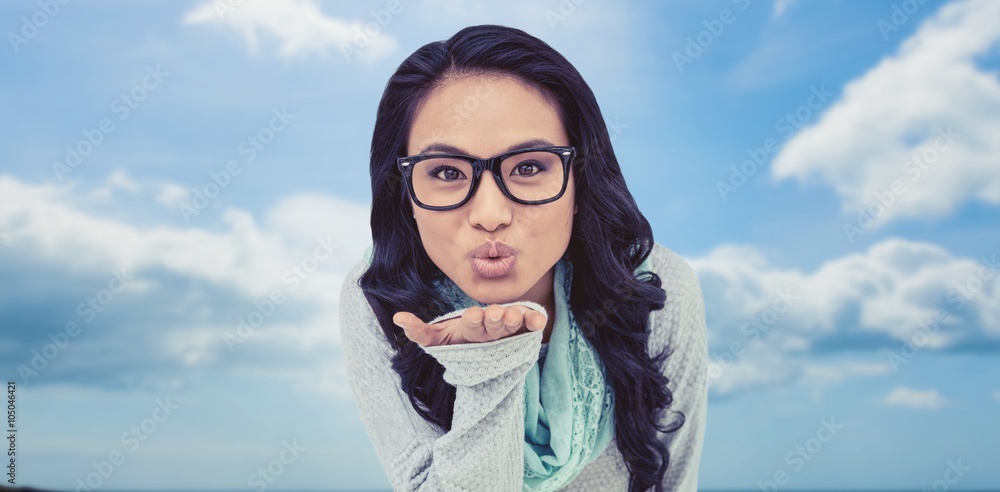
(483, 115)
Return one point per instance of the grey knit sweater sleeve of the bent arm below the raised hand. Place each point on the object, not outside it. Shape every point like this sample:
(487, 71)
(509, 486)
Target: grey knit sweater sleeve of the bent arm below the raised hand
(484, 450)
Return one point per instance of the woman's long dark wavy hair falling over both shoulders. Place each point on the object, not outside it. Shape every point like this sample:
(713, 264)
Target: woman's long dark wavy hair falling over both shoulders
(610, 239)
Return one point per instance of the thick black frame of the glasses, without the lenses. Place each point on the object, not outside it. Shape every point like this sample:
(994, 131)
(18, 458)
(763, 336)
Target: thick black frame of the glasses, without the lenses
(492, 164)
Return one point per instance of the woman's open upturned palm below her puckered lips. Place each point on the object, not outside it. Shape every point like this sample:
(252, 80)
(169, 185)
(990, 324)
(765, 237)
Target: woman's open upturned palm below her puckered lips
(475, 325)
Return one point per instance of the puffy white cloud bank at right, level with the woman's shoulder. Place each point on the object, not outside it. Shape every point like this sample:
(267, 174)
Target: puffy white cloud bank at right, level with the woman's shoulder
(889, 289)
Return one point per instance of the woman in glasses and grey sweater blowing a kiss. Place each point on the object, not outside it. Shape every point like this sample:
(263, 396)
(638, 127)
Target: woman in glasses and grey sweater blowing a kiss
(502, 227)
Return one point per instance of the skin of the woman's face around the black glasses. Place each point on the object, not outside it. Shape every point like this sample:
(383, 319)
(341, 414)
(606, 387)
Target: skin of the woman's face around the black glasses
(482, 116)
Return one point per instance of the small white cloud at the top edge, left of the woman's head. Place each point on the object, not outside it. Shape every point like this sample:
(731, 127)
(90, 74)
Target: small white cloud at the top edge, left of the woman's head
(300, 27)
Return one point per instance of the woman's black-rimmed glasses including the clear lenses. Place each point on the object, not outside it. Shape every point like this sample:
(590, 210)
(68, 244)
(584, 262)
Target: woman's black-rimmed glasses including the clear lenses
(447, 181)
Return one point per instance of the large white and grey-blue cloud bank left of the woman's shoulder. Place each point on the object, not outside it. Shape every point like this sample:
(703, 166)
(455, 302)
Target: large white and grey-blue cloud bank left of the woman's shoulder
(194, 283)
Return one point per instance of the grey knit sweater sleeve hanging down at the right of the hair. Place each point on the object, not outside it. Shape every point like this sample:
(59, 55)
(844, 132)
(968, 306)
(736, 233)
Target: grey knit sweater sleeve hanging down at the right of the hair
(681, 326)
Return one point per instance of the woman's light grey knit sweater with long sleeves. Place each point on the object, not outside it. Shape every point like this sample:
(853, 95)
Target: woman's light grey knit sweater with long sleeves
(484, 451)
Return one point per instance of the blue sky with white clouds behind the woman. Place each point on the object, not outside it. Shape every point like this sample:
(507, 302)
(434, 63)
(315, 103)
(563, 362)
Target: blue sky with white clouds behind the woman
(871, 209)
